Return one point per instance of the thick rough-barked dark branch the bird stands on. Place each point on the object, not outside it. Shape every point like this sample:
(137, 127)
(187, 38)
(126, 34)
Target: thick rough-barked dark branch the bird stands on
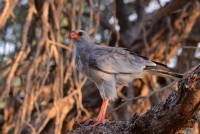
(173, 115)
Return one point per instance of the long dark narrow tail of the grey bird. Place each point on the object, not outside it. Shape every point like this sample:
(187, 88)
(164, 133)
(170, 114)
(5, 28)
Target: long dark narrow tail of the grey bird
(162, 70)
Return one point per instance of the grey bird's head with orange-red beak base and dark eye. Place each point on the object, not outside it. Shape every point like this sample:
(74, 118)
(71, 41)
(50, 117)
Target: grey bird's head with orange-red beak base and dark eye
(79, 35)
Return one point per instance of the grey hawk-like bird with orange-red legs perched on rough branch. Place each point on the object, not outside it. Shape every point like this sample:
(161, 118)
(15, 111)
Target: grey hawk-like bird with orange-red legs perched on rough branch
(108, 67)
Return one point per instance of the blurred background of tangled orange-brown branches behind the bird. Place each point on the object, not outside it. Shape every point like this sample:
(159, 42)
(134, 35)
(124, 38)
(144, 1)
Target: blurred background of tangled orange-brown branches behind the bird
(40, 89)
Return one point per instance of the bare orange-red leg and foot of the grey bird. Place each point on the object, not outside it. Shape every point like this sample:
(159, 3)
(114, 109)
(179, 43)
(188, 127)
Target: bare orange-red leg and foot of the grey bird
(101, 117)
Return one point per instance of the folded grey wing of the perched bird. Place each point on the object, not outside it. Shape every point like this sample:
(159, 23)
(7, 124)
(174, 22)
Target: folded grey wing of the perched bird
(117, 61)
